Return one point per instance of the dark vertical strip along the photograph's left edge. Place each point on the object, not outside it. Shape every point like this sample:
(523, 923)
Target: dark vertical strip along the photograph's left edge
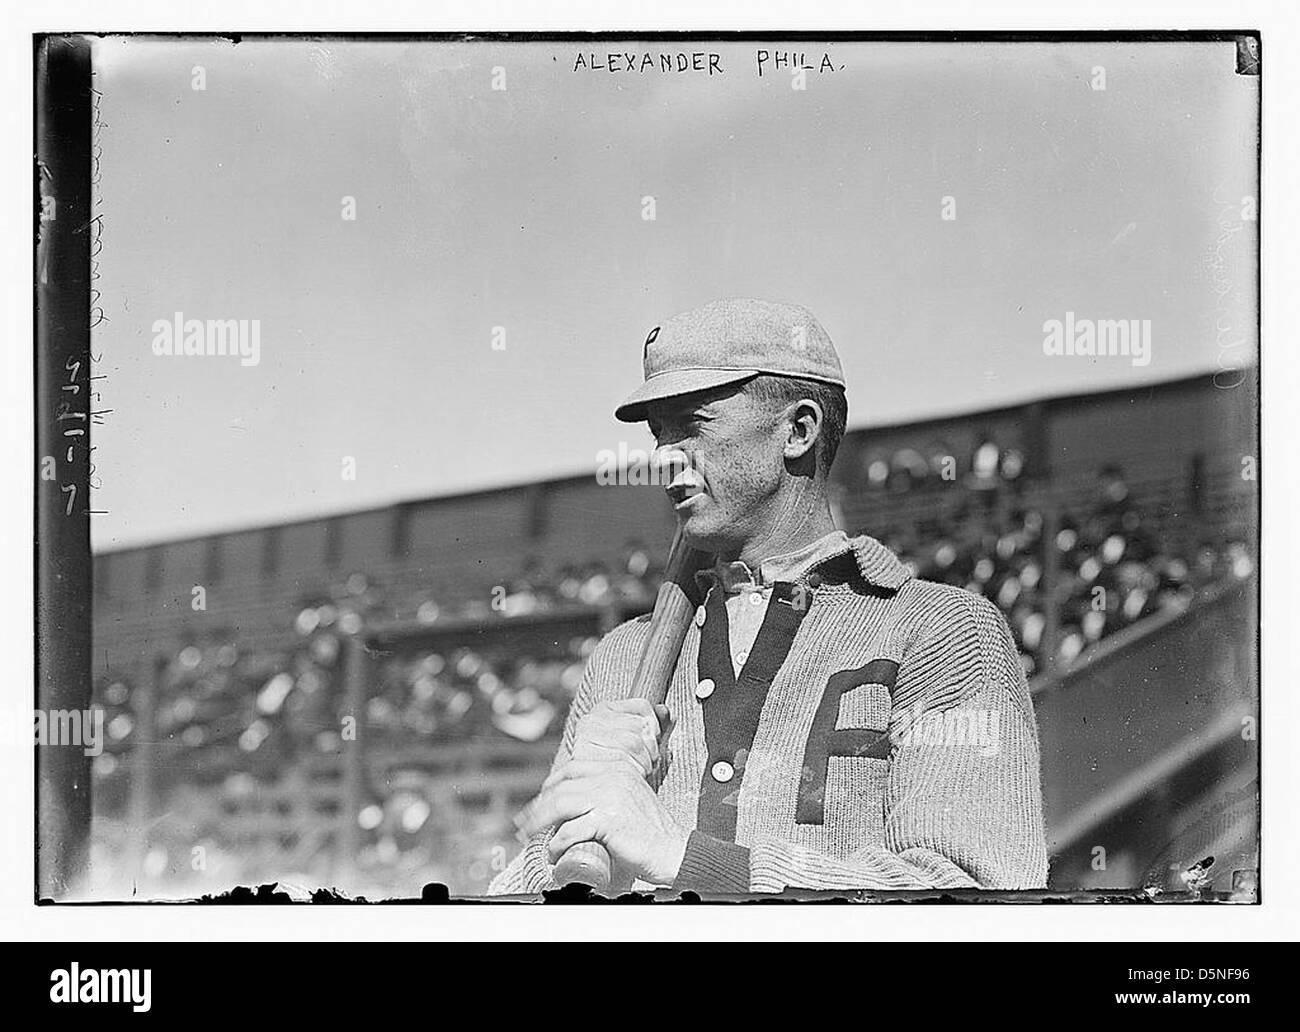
(64, 414)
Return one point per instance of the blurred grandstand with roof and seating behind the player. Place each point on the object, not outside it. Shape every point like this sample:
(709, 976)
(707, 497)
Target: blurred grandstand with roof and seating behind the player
(376, 727)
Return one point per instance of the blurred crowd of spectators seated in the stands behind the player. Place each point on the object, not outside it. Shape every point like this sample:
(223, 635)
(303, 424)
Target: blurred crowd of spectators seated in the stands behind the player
(226, 713)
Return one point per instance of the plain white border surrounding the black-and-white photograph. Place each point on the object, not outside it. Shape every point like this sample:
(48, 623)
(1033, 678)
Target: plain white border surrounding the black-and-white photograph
(1277, 918)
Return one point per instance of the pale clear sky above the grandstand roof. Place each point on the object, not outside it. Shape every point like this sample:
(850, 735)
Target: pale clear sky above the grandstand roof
(482, 316)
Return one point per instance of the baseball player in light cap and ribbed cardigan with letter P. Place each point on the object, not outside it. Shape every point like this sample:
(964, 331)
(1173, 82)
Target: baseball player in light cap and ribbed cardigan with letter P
(811, 706)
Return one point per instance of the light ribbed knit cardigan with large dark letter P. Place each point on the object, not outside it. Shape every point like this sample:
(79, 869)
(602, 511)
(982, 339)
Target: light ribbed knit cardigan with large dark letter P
(878, 736)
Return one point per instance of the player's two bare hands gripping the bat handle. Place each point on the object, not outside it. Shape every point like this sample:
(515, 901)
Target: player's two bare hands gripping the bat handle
(601, 795)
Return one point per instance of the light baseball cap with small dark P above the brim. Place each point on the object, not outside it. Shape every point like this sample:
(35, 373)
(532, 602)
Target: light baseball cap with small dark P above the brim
(726, 342)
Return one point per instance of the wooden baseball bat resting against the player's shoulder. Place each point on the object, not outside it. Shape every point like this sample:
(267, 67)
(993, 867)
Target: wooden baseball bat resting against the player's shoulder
(590, 864)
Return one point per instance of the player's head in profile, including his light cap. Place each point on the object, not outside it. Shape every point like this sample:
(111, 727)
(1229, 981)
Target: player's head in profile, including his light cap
(747, 402)
